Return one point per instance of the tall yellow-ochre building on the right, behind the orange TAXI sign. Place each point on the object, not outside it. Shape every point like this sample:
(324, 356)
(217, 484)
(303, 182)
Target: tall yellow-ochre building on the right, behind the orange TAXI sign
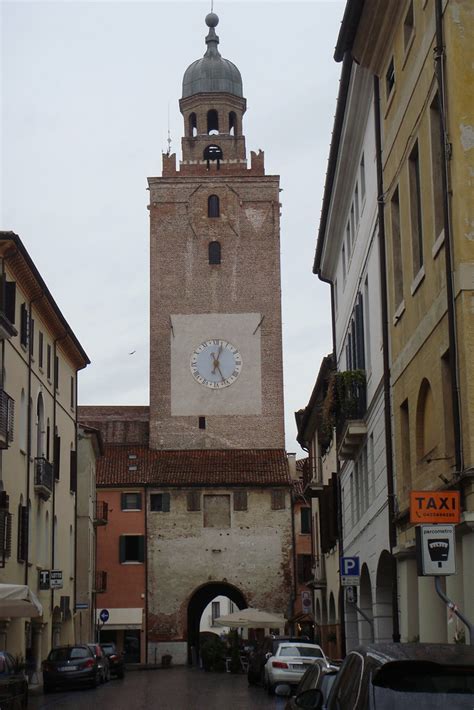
(422, 53)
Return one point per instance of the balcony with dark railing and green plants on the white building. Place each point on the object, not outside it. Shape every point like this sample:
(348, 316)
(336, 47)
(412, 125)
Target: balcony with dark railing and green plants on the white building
(351, 427)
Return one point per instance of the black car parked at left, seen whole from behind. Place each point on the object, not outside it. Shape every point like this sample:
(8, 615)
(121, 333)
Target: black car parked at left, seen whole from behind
(70, 665)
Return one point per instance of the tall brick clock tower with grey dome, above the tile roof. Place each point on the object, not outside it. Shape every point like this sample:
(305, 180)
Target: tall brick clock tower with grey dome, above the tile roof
(215, 316)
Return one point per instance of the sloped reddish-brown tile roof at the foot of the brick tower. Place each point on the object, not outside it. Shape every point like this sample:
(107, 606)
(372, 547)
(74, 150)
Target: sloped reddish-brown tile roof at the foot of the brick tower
(256, 467)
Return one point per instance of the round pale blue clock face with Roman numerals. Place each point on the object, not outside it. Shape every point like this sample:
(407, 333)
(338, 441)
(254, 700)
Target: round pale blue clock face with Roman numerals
(216, 364)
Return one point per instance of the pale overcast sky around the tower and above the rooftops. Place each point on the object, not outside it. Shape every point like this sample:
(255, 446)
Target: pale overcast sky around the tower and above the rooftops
(87, 88)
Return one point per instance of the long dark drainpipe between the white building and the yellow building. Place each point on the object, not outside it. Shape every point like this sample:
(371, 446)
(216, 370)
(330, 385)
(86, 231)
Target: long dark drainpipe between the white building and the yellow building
(392, 531)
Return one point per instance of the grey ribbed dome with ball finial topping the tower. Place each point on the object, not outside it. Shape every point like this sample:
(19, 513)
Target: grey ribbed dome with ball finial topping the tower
(212, 73)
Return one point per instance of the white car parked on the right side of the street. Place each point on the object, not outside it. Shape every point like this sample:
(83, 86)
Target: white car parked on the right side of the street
(290, 662)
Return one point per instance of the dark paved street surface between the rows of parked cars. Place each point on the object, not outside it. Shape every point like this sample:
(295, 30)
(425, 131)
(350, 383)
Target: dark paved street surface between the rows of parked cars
(170, 689)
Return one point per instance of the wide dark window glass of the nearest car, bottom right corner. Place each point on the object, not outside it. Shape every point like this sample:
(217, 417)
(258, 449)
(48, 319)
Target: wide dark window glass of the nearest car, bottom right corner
(432, 687)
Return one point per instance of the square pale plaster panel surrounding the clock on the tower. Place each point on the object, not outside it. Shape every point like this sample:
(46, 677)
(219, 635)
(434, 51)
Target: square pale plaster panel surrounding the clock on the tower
(242, 394)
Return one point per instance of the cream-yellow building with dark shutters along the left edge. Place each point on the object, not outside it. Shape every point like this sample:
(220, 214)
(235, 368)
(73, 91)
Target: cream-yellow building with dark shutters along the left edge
(40, 359)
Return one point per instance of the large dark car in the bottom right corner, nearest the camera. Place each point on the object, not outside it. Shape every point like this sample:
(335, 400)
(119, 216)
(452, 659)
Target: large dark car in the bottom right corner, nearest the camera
(392, 676)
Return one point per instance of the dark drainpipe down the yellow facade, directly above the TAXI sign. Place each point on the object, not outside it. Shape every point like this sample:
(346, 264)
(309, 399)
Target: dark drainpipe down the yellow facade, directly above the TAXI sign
(451, 305)
